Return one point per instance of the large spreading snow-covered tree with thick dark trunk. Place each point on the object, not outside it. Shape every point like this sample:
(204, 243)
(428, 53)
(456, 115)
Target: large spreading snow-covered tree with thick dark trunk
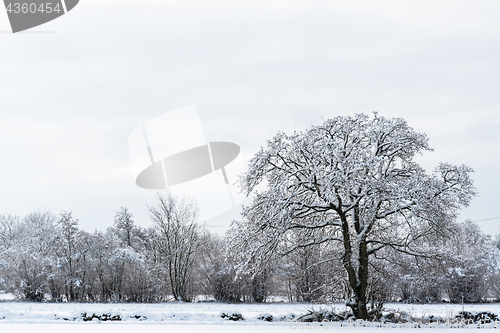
(356, 180)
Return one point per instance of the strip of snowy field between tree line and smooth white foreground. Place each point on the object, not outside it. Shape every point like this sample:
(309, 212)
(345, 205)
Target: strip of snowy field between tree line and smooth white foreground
(207, 312)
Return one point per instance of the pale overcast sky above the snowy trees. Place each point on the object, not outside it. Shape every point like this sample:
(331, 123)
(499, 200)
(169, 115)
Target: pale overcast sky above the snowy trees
(72, 90)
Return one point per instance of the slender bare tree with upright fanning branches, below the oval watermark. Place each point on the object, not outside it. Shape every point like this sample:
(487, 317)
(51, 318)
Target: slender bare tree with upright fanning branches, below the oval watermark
(179, 241)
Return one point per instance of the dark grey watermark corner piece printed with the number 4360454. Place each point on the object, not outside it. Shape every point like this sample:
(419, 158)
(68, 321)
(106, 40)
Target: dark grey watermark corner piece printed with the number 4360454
(26, 14)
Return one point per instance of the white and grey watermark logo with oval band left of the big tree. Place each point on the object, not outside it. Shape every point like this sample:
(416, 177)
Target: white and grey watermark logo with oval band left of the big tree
(170, 152)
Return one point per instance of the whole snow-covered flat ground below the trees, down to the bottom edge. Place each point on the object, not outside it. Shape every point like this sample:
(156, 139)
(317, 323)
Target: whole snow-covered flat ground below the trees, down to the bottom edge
(187, 317)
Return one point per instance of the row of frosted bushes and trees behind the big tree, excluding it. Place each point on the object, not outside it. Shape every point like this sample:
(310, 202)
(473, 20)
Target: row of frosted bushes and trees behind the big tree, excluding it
(48, 258)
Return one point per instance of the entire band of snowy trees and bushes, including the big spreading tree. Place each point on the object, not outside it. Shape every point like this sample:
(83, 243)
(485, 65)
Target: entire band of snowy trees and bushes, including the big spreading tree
(343, 213)
